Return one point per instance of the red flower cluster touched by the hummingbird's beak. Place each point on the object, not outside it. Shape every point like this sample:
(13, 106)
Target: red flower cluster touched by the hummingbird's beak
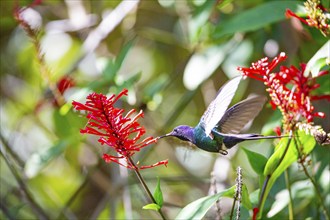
(119, 132)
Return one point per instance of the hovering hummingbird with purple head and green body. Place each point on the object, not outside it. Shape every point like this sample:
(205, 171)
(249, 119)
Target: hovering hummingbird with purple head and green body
(219, 127)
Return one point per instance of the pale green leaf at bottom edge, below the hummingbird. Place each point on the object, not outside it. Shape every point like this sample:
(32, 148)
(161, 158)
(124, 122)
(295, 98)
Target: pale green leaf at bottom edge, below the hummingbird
(198, 208)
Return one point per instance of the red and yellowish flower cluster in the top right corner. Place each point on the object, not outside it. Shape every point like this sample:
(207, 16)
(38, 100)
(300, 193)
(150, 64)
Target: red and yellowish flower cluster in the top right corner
(317, 16)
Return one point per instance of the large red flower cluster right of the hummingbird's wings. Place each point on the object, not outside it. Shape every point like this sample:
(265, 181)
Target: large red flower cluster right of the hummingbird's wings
(289, 89)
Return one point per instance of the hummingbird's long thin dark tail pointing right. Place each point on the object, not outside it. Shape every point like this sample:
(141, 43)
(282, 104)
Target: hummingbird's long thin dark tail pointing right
(231, 140)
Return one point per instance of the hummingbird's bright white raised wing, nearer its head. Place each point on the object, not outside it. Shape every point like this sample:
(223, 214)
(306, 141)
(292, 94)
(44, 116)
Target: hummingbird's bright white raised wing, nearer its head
(218, 106)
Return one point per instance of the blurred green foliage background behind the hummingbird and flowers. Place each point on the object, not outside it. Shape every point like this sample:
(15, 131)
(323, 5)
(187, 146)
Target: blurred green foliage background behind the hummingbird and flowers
(172, 56)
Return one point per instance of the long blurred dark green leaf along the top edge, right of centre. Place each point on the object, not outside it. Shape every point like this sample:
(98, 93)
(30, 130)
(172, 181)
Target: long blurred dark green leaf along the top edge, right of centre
(256, 18)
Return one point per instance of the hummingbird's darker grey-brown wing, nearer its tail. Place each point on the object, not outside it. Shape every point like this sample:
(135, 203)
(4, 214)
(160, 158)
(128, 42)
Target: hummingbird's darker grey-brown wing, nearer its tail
(240, 114)
